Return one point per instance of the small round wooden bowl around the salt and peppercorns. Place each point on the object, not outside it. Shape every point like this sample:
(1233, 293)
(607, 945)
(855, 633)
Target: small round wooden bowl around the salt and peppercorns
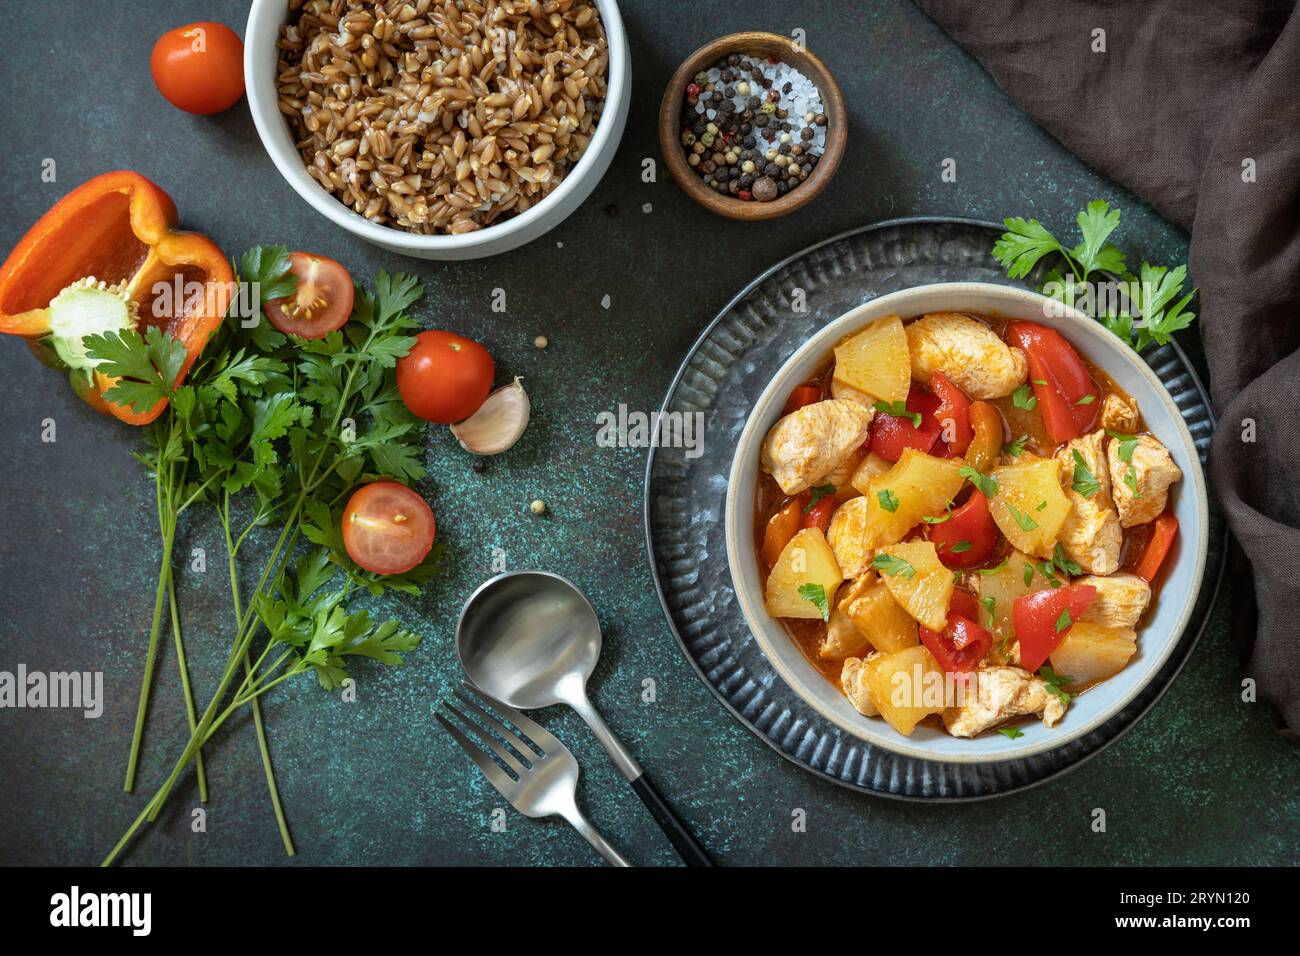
(759, 45)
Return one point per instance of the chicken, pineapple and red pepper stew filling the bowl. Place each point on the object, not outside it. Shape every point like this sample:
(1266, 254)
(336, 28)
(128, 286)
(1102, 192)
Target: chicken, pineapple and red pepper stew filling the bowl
(961, 520)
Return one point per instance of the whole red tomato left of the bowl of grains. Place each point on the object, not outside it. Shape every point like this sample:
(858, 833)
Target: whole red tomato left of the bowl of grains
(200, 67)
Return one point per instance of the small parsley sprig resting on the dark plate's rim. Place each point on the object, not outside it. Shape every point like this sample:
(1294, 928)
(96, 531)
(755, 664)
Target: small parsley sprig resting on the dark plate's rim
(1150, 312)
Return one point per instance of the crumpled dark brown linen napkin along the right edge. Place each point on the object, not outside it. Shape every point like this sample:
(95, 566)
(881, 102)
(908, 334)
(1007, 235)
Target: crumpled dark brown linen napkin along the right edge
(1188, 97)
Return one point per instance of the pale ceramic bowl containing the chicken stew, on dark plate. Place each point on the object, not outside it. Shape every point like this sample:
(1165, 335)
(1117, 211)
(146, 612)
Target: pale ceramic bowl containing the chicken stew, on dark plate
(1160, 629)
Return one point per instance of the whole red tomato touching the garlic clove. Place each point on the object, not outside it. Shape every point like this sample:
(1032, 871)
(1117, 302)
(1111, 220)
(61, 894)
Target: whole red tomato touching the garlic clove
(445, 378)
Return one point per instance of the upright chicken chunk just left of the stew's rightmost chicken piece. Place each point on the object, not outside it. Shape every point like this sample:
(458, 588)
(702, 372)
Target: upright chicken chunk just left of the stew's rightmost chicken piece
(1091, 535)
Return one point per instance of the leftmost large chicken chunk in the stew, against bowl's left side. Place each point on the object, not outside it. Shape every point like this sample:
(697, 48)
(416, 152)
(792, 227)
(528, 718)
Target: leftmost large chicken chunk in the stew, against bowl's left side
(808, 444)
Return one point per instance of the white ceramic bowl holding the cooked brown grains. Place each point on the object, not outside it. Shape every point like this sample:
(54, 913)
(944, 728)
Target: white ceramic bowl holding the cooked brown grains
(265, 23)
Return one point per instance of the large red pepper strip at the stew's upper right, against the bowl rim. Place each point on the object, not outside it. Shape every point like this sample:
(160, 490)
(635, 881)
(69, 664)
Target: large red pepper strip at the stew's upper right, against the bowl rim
(1060, 380)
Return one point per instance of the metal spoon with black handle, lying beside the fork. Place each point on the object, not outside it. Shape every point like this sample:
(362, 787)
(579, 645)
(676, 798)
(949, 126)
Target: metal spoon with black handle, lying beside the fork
(531, 639)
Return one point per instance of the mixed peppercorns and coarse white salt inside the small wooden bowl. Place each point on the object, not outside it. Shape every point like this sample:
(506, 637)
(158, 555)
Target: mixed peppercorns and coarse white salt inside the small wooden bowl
(753, 129)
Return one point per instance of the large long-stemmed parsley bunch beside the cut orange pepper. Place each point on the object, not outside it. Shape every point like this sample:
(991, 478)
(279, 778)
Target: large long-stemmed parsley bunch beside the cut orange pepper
(271, 431)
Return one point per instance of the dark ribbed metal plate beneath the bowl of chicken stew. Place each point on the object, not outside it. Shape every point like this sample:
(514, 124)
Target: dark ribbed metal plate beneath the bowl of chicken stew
(722, 377)
